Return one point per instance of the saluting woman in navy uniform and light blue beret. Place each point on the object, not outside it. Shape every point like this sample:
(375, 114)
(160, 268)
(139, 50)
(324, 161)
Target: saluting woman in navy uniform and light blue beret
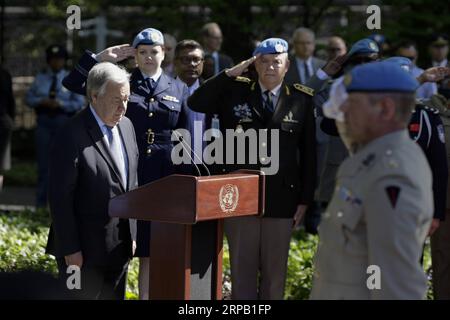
(156, 106)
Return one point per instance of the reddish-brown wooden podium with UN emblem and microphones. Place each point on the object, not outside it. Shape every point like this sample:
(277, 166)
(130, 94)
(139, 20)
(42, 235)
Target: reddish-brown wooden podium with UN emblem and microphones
(187, 228)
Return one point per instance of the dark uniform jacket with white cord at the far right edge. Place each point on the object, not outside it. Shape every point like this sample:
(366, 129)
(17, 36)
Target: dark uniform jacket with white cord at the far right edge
(426, 128)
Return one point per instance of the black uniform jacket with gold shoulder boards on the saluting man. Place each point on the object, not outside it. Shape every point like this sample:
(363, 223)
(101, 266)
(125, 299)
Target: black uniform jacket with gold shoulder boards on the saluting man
(239, 104)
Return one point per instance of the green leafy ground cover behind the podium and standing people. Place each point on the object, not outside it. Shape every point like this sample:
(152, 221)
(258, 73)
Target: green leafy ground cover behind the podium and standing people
(23, 237)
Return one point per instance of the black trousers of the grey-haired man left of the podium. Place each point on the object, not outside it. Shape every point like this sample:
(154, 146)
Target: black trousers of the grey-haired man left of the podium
(97, 282)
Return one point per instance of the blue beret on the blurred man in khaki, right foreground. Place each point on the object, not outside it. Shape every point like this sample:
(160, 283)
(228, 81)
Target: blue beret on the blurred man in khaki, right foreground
(380, 77)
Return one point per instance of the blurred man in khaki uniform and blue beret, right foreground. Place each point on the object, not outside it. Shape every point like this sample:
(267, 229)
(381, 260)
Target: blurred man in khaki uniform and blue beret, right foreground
(373, 230)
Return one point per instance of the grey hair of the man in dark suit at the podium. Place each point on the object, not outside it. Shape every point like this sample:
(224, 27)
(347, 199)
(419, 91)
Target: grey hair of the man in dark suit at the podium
(101, 74)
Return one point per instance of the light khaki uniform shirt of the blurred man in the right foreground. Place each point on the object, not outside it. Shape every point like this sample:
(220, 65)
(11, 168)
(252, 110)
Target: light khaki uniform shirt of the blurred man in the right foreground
(379, 215)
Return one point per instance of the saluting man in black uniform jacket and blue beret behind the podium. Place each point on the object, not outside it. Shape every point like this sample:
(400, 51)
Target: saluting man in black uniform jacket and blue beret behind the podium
(261, 244)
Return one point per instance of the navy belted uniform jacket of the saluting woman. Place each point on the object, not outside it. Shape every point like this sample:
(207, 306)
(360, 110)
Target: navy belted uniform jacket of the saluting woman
(154, 115)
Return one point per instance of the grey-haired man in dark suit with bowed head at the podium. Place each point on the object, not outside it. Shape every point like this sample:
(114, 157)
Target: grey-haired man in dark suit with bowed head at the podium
(94, 158)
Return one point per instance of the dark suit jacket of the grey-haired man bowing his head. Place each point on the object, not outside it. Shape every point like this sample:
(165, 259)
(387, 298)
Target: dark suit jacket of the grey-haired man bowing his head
(82, 180)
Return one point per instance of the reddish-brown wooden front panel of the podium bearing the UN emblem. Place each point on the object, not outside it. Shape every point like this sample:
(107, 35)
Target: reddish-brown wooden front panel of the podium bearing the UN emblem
(243, 196)
